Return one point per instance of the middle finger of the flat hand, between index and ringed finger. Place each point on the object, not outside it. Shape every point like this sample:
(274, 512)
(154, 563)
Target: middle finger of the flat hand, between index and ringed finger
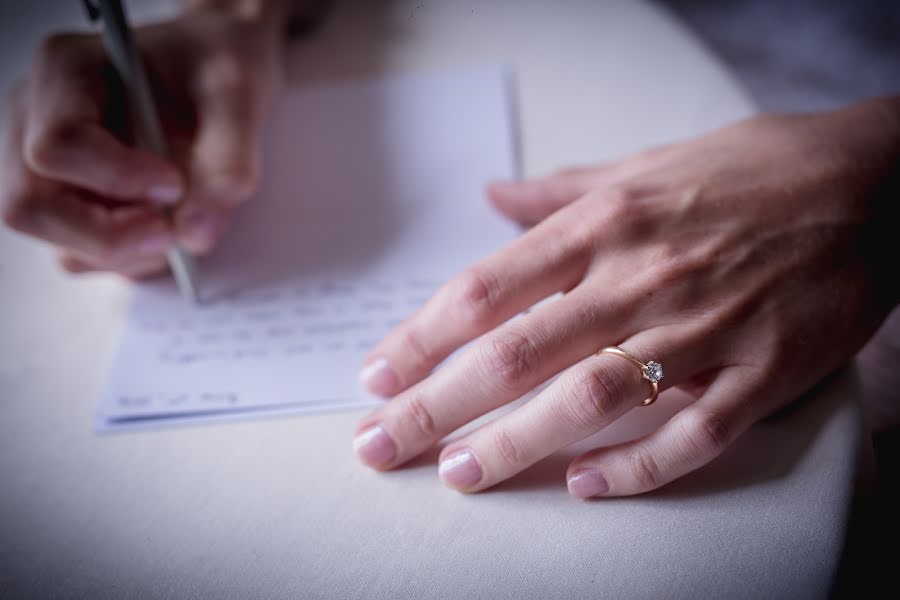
(497, 369)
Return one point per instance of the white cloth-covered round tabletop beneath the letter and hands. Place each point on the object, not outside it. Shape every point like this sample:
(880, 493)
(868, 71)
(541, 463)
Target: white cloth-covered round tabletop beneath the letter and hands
(280, 508)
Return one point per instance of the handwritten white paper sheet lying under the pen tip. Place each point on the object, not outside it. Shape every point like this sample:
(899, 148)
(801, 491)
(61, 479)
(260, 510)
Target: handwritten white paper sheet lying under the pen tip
(372, 197)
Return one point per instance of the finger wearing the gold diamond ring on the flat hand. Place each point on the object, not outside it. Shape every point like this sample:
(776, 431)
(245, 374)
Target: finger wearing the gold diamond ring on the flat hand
(587, 398)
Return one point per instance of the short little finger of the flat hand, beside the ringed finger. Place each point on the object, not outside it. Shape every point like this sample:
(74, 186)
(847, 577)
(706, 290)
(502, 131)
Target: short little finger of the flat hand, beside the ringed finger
(688, 441)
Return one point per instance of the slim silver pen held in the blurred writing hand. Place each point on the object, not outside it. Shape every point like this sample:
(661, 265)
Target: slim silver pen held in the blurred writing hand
(119, 44)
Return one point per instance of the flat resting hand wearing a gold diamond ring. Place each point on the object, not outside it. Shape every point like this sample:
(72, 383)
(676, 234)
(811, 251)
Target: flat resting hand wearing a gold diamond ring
(750, 263)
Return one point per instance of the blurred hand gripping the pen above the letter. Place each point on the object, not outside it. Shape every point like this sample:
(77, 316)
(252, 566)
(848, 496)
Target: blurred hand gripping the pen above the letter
(70, 175)
